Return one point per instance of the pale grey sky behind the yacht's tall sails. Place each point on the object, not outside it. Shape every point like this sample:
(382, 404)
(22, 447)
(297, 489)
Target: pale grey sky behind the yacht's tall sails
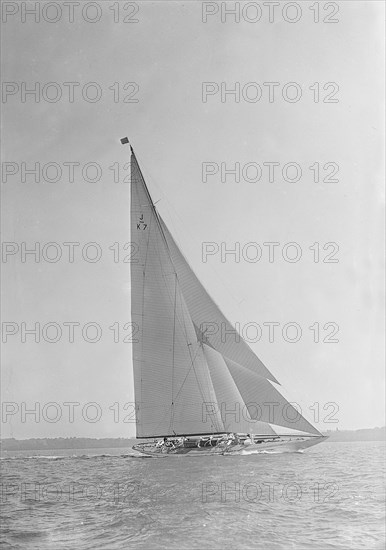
(162, 60)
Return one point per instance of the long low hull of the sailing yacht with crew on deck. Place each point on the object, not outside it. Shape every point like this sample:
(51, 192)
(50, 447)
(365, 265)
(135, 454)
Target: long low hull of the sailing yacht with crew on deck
(281, 445)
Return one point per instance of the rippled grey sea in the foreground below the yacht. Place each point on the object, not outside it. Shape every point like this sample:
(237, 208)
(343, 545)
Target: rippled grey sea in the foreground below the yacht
(329, 497)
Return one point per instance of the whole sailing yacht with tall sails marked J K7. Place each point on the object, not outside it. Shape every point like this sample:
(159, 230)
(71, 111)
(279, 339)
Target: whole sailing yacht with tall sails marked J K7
(195, 392)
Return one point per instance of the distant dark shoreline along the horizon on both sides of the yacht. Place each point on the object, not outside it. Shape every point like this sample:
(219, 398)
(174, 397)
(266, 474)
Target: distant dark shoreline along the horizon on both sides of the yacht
(38, 444)
